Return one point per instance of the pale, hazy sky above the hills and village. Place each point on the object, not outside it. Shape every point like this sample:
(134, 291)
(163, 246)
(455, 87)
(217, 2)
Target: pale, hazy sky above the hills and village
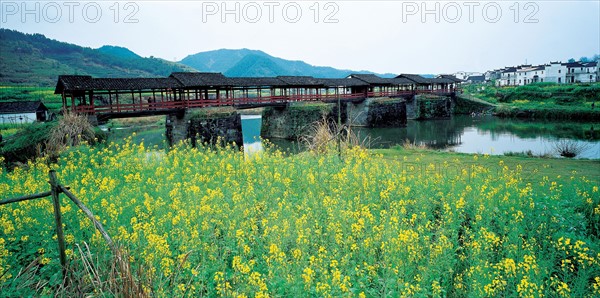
(381, 36)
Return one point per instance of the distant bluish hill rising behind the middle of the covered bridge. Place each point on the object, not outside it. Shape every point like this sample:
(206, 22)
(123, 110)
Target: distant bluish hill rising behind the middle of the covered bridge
(253, 63)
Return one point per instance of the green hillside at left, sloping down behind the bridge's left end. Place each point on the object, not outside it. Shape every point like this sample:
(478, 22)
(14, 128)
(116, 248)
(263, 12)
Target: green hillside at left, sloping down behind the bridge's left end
(34, 60)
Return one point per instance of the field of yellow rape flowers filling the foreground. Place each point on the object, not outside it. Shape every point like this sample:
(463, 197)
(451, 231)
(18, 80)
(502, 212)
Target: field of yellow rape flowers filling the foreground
(213, 222)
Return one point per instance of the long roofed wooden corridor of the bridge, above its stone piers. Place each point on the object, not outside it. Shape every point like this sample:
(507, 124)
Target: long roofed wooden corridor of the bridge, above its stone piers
(109, 98)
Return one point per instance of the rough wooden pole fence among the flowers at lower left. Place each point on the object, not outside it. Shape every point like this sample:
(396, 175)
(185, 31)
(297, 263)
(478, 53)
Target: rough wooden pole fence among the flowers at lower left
(55, 190)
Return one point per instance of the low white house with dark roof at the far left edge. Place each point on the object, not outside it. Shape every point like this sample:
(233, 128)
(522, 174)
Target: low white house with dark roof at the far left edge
(22, 112)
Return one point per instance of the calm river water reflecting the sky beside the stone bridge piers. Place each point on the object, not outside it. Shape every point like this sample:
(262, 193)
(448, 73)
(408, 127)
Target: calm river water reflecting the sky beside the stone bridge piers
(468, 134)
